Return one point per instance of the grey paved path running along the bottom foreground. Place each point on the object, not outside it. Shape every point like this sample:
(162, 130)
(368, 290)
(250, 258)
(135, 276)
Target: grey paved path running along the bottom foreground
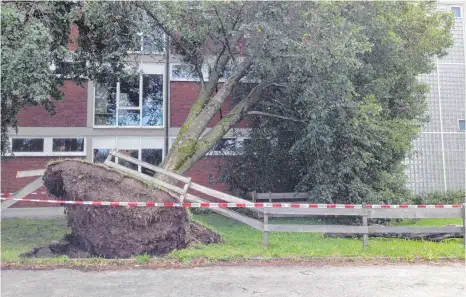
(359, 281)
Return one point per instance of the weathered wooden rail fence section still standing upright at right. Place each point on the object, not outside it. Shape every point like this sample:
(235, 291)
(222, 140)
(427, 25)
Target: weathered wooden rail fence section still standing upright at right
(365, 213)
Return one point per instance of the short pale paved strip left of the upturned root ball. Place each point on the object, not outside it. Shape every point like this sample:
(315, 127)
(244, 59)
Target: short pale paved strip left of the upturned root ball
(34, 213)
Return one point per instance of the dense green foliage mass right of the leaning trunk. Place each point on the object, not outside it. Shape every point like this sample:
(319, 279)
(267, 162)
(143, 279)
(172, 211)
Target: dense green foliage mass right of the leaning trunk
(352, 118)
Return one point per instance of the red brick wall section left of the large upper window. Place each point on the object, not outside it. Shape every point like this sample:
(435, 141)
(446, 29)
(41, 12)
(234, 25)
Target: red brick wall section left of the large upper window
(70, 112)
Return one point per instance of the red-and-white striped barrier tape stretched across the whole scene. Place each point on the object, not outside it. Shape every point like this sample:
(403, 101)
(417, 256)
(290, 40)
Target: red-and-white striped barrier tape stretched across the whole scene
(227, 205)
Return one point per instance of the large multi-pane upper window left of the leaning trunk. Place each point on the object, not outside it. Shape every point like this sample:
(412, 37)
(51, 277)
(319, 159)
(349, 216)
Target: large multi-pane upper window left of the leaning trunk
(136, 101)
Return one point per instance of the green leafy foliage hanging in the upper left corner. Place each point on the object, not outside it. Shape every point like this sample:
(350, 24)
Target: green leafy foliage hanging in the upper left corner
(34, 37)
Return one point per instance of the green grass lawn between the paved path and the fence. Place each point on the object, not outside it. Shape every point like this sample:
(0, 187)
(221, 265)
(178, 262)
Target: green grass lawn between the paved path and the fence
(243, 242)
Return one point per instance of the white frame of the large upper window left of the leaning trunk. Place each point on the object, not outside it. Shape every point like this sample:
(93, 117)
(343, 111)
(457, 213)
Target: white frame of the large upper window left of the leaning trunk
(116, 126)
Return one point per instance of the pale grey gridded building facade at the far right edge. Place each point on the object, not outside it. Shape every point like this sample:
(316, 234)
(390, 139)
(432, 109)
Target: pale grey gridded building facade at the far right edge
(438, 161)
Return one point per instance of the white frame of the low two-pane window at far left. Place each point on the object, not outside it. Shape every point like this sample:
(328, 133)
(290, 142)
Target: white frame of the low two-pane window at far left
(48, 148)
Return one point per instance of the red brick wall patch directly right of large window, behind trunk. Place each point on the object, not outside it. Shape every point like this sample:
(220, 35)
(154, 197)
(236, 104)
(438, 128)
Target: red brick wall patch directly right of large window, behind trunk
(182, 97)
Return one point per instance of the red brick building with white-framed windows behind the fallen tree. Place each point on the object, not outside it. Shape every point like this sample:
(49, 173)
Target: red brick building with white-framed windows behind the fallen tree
(130, 116)
